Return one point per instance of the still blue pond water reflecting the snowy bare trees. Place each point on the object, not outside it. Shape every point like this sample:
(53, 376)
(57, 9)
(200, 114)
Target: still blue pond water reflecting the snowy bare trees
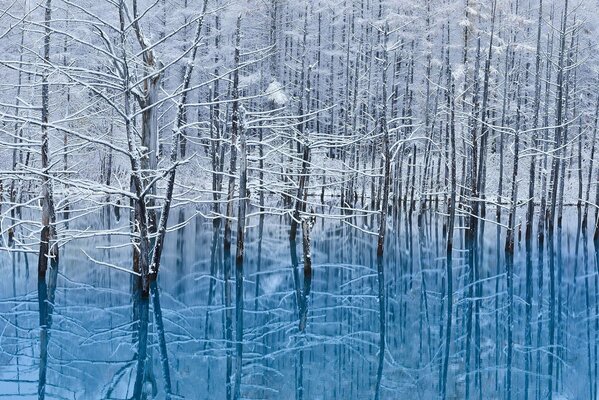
(86, 338)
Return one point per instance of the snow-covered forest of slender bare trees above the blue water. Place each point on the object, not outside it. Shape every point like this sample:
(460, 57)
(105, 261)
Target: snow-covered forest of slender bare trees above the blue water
(430, 86)
